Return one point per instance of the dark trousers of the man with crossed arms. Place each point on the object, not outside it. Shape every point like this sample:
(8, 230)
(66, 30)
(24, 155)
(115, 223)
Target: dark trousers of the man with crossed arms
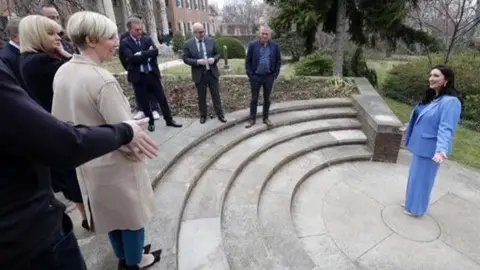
(150, 84)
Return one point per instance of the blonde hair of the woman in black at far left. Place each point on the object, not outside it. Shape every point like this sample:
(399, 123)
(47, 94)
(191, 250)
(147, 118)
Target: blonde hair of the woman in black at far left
(34, 30)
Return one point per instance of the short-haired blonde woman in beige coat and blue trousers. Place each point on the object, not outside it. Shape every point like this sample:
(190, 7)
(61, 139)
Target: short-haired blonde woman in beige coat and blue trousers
(118, 187)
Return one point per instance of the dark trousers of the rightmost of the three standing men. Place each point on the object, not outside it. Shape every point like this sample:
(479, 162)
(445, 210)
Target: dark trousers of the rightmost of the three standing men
(257, 82)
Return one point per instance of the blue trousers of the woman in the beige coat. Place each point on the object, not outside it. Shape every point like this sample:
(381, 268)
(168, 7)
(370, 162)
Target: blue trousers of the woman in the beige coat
(128, 245)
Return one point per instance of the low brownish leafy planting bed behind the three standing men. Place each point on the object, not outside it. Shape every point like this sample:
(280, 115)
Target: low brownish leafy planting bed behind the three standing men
(235, 91)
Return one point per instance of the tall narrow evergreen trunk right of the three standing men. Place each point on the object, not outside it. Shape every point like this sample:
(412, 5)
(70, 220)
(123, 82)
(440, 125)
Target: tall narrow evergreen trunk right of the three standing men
(340, 37)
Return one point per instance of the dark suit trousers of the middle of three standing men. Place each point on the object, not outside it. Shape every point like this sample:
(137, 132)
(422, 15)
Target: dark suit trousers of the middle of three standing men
(208, 80)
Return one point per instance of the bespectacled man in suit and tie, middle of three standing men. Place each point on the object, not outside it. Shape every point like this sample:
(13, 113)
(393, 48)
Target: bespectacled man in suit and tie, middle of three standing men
(201, 54)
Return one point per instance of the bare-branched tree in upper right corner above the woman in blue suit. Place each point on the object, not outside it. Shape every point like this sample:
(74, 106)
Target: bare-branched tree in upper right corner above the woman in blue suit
(452, 22)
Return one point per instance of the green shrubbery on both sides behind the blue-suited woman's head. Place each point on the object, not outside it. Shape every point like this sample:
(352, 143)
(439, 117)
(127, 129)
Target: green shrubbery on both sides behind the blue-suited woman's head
(407, 82)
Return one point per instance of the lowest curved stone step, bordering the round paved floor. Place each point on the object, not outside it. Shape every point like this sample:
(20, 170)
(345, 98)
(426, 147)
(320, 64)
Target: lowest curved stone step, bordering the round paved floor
(275, 220)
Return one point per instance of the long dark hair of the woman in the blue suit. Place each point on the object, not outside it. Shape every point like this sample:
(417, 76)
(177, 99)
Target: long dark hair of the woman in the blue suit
(448, 90)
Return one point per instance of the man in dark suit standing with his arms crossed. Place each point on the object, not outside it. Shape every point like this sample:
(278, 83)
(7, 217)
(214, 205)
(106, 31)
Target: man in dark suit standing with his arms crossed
(142, 67)
